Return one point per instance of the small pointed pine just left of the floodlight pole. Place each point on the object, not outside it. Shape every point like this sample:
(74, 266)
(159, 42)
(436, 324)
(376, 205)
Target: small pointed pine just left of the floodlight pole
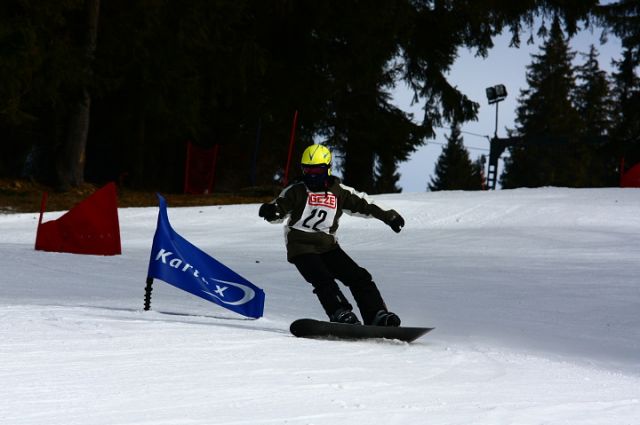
(454, 170)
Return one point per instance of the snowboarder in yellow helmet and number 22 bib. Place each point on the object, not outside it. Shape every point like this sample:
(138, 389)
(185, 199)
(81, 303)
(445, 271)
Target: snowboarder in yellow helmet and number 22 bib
(314, 206)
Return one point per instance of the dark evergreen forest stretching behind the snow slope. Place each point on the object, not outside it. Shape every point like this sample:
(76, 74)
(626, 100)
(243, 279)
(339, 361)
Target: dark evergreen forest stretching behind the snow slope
(97, 91)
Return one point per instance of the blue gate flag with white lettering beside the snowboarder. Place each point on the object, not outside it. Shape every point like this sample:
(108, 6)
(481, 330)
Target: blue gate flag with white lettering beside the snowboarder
(183, 265)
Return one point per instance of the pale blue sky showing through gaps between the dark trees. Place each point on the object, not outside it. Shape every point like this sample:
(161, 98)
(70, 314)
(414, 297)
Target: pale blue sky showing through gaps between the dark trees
(473, 75)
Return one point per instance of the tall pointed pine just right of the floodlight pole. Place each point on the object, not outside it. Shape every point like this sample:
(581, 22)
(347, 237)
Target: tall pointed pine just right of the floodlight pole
(548, 121)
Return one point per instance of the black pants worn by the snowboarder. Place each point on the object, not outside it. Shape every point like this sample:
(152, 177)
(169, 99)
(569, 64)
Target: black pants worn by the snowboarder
(321, 270)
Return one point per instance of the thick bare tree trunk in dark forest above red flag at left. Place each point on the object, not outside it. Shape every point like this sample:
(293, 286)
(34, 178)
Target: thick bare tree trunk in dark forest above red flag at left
(71, 159)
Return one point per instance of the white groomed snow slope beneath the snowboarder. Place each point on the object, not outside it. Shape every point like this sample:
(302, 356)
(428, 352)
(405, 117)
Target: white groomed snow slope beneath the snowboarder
(534, 294)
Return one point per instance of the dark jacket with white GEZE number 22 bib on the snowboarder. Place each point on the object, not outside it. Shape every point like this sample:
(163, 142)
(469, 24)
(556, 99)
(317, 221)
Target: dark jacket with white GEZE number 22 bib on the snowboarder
(314, 216)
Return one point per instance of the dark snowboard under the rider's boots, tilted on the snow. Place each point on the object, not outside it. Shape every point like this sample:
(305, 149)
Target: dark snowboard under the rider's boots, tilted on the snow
(311, 328)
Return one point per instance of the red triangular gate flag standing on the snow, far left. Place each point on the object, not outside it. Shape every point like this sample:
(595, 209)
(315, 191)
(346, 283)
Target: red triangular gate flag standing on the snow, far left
(90, 227)
